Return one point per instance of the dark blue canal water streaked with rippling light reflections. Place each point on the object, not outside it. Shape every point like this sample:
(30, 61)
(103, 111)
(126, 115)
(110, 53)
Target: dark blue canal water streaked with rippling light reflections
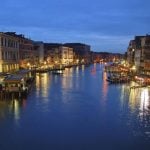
(78, 110)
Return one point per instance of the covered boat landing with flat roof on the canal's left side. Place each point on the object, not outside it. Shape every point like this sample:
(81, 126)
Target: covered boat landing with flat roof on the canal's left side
(16, 85)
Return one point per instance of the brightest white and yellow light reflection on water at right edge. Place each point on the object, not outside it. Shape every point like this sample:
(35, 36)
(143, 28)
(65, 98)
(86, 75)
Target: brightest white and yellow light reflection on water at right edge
(139, 101)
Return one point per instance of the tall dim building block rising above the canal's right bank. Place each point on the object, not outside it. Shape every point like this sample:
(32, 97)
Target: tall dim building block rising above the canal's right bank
(138, 53)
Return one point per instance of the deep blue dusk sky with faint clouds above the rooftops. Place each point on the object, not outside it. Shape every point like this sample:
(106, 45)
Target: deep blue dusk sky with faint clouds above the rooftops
(105, 25)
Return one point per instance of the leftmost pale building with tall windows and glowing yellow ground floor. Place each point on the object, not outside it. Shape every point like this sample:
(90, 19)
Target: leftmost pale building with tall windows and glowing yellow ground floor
(9, 53)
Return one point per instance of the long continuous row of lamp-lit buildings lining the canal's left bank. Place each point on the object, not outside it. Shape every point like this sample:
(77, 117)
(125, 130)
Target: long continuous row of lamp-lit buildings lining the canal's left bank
(18, 52)
